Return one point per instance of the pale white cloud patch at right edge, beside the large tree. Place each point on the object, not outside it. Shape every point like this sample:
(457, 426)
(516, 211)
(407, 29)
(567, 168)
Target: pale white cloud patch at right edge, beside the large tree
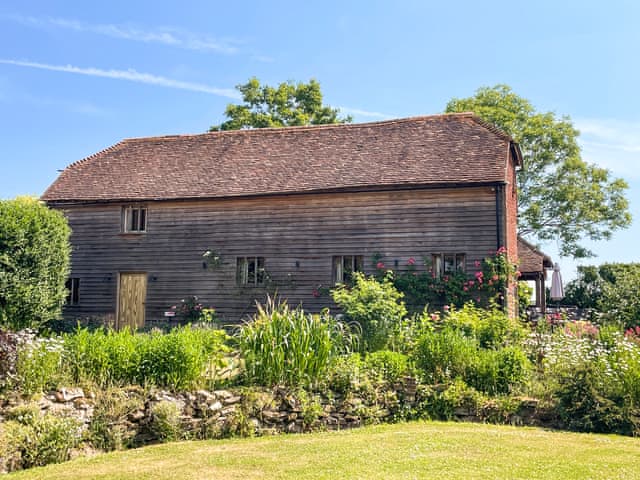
(613, 144)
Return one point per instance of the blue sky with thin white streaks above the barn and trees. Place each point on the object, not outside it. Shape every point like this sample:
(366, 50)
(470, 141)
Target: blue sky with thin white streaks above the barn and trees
(76, 77)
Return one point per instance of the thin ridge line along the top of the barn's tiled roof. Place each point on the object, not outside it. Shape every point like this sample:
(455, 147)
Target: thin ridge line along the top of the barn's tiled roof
(300, 128)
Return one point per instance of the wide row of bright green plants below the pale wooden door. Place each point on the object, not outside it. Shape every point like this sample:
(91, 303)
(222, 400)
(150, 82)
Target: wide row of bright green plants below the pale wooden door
(178, 359)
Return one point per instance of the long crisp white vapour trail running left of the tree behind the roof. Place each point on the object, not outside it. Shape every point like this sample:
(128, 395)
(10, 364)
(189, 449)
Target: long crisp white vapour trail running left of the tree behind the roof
(130, 75)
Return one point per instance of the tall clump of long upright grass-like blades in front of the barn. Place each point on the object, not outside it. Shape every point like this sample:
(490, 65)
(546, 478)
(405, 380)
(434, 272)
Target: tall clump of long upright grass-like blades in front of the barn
(284, 346)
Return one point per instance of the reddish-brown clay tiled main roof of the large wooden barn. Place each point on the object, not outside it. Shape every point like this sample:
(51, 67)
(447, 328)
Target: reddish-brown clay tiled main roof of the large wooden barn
(430, 150)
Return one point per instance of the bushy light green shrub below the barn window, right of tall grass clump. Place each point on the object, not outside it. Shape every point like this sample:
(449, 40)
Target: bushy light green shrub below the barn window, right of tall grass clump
(376, 306)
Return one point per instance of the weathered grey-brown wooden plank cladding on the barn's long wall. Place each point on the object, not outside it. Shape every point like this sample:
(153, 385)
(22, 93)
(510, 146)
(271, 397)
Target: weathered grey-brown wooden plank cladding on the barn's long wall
(297, 235)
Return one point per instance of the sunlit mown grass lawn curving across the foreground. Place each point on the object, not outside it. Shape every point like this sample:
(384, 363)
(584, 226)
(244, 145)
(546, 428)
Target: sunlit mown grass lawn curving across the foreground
(411, 450)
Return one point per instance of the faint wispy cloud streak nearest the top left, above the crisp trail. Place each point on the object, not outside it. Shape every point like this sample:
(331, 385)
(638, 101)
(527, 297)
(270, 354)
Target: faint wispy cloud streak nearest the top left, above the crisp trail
(170, 36)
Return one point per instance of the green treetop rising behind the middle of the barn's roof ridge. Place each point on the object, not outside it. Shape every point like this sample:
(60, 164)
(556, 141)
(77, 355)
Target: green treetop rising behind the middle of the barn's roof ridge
(287, 105)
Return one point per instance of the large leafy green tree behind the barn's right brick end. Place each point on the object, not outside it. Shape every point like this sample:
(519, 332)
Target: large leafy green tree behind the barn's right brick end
(560, 195)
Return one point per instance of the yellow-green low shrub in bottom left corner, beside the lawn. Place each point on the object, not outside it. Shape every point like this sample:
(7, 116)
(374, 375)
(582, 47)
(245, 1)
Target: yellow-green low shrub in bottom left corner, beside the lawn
(33, 439)
